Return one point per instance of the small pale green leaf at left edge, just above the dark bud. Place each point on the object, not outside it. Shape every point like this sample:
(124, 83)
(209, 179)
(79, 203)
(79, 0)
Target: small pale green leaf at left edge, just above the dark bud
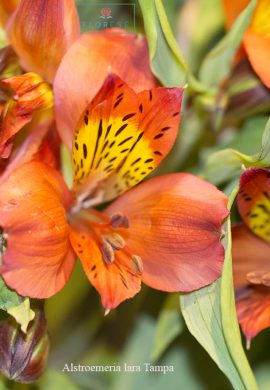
(16, 306)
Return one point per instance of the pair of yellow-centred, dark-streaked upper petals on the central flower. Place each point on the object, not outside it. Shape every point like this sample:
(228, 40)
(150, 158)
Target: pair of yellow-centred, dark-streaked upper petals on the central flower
(122, 137)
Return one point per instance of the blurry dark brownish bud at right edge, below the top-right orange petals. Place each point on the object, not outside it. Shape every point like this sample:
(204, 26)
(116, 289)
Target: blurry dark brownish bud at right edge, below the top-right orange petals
(246, 94)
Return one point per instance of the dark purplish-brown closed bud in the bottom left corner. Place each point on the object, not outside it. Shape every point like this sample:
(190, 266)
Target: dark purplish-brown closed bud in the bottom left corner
(23, 356)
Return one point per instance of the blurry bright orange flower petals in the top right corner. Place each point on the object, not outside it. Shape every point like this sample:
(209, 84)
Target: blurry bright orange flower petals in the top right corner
(256, 41)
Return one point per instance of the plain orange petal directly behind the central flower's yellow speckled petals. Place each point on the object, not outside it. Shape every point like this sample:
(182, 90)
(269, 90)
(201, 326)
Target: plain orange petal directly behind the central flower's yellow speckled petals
(116, 52)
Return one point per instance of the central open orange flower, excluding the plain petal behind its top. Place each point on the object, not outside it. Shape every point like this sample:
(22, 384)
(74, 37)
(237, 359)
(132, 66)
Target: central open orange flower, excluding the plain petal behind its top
(165, 232)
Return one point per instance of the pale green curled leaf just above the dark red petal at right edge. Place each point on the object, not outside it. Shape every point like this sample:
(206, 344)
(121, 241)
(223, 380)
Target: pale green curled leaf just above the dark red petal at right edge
(226, 164)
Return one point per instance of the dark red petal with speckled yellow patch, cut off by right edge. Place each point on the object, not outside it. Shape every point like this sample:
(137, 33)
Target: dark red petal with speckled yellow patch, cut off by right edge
(254, 201)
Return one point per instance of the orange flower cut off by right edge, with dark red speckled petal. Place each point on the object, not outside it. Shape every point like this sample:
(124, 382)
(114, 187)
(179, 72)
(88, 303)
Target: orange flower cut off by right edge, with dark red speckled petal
(251, 252)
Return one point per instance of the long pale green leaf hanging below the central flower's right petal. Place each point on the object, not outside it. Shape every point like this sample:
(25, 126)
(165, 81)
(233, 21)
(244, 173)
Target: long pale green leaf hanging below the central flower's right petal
(210, 316)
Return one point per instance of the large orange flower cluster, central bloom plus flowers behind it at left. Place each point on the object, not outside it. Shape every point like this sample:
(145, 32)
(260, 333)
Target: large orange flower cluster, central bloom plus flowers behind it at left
(96, 94)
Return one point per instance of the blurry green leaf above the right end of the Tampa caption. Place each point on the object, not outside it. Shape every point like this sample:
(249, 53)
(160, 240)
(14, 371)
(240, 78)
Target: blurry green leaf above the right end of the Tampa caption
(169, 326)
